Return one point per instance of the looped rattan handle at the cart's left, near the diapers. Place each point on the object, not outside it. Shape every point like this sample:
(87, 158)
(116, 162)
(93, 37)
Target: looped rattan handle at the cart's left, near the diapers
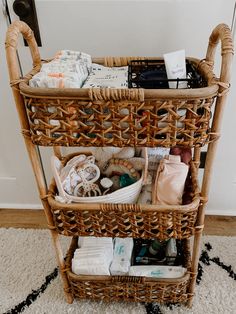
(12, 36)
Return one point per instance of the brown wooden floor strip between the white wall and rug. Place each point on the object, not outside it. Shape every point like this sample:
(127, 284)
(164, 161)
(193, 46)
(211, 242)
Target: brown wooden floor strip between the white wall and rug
(25, 218)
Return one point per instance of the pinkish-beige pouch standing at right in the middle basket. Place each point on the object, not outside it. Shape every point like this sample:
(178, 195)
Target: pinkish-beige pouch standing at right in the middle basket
(169, 182)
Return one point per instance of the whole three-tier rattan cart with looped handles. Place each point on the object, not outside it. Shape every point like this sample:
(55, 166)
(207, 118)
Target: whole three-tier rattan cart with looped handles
(73, 108)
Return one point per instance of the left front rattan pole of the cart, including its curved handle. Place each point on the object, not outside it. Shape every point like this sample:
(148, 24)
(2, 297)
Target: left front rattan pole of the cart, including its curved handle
(11, 45)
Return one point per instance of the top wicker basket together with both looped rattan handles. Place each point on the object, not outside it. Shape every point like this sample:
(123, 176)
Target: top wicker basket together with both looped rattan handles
(93, 117)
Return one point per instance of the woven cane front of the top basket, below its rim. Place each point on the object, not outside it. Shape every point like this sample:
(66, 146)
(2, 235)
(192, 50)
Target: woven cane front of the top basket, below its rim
(75, 122)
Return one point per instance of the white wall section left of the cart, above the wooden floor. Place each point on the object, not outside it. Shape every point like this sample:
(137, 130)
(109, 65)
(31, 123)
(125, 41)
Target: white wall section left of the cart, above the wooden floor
(17, 185)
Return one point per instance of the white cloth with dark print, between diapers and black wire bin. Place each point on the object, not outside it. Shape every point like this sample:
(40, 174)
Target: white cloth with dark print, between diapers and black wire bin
(107, 77)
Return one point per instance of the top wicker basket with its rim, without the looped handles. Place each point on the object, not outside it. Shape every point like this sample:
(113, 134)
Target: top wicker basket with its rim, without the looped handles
(152, 117)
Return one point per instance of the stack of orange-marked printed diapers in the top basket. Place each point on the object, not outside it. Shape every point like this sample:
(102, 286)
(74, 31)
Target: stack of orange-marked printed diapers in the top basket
(69, 69)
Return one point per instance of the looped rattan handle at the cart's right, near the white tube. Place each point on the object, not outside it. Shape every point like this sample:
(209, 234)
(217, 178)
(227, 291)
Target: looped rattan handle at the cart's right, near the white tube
(221, 33)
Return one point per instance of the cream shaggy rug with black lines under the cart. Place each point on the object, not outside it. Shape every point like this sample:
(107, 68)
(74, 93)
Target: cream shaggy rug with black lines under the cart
(30, 284)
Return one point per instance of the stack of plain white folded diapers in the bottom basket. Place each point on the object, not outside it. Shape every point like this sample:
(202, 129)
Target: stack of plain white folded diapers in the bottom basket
(93, 257)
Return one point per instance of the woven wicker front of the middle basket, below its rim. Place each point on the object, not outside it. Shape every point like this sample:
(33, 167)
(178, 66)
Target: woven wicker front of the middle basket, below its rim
(120, 223)
